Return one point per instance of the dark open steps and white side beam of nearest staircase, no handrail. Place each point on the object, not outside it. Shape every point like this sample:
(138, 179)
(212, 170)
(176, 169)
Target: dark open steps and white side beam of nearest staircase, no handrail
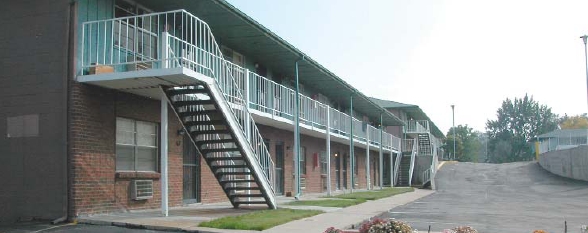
(228, 154)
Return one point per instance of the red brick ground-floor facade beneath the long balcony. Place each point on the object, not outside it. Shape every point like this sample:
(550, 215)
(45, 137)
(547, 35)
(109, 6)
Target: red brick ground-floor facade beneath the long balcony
(98, 188)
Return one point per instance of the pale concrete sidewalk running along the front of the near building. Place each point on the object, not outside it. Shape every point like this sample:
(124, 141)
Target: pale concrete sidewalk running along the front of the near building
(188, 218)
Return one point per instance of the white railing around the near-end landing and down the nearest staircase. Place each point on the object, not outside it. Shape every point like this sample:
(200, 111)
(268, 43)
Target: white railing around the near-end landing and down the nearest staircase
(168, 40)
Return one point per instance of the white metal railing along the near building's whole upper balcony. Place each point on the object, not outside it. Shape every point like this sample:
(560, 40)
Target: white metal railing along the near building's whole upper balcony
(138, 43)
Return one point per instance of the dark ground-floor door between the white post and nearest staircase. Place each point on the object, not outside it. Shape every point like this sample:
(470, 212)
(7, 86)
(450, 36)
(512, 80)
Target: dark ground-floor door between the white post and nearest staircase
(191, 167)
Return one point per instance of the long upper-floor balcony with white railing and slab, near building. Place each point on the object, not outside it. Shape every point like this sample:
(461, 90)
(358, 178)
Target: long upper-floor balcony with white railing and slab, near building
(138, 54)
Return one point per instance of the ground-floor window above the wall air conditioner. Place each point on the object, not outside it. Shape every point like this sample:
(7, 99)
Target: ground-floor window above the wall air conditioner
(136, 145)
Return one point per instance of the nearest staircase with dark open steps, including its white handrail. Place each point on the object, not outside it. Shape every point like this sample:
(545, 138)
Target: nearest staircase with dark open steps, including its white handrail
(215, 114)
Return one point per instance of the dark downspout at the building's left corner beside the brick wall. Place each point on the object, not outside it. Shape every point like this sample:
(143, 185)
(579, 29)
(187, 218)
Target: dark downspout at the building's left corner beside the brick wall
(69, 42)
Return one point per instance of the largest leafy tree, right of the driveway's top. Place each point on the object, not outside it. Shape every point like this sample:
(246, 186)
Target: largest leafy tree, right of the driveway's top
(517, 123)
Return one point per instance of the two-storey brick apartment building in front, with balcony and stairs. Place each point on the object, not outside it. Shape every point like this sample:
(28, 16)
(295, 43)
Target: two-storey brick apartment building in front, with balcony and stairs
(118, 105)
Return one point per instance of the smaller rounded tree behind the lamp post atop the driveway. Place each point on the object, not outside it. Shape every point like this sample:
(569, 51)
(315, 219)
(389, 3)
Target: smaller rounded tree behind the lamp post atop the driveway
(466, 143)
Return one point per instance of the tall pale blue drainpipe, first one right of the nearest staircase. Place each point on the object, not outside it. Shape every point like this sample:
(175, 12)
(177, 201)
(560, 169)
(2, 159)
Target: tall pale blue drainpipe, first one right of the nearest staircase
(297, 135)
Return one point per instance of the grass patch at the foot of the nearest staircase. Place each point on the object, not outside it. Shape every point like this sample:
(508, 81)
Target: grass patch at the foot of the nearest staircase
(259, 220)
